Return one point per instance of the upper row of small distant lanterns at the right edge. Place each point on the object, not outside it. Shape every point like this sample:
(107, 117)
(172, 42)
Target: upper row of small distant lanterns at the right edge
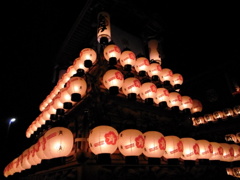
(217, 115)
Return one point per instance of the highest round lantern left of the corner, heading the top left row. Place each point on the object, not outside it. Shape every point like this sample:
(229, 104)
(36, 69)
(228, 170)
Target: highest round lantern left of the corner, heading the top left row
(89, 56)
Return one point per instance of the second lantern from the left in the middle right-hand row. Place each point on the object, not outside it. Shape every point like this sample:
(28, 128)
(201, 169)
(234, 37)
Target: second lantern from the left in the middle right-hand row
(131, 87)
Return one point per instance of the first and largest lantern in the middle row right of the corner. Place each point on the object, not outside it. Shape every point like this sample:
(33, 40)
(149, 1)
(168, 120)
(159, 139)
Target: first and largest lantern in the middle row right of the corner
(113, 80)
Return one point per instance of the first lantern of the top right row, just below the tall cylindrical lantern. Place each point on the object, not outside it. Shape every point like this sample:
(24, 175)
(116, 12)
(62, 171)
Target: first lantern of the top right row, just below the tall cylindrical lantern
(112, 53)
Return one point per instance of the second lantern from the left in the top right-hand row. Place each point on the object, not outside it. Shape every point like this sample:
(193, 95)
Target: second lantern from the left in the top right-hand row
(127, 59)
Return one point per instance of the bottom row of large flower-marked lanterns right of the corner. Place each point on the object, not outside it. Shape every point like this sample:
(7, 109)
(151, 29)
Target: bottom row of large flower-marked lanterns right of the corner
(153, 144)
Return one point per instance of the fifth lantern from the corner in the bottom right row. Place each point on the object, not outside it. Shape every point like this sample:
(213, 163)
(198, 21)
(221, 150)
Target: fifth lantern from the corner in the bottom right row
(190, 149)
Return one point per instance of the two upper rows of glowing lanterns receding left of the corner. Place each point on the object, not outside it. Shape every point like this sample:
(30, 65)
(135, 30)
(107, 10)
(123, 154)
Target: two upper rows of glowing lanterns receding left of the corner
(70, 89)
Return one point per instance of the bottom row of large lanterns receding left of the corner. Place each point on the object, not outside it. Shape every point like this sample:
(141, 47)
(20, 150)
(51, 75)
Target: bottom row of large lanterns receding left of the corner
(56, 142)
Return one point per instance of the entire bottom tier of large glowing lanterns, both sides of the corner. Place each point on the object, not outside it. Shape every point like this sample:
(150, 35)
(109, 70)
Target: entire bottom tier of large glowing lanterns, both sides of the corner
(58, 142)
